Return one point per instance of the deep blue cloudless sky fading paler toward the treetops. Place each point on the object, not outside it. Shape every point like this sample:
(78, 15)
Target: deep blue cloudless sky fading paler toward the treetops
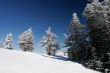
(17, 16)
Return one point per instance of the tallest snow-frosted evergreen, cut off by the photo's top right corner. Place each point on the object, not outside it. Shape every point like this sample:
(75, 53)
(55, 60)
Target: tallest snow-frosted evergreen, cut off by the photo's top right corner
(98, 21)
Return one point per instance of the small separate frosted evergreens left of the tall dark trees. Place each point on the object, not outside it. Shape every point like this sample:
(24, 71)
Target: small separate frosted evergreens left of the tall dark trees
(26, 41)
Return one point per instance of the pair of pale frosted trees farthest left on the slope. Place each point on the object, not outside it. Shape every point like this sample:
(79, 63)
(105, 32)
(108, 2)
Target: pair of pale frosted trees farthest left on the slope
(25, 41)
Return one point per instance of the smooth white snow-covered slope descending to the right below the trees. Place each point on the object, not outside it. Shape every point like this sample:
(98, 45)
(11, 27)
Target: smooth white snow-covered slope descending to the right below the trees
(12, 61)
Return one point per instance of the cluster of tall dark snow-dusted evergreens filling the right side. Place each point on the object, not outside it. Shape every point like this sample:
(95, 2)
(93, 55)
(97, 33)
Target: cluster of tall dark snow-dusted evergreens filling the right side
(91, 47)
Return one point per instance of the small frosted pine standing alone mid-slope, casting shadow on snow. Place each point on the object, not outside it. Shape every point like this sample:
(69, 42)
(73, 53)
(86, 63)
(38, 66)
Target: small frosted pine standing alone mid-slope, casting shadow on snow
(49, 42)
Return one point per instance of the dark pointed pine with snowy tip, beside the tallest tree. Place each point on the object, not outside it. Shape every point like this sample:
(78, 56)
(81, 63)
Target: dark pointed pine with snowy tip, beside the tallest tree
(75, 41)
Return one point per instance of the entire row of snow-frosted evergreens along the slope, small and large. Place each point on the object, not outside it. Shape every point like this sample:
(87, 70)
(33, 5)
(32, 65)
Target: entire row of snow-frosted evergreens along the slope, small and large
(87, 44)
